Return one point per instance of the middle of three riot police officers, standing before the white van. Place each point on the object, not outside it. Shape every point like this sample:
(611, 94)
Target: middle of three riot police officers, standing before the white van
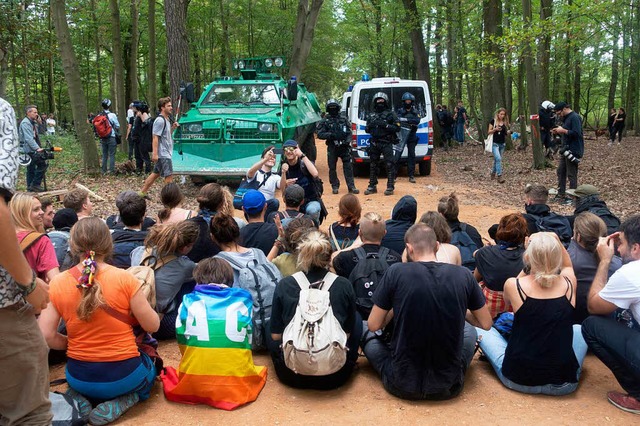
(383, 126)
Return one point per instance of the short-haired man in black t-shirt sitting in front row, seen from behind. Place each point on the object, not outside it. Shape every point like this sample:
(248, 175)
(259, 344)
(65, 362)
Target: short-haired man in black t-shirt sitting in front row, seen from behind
(432, 345)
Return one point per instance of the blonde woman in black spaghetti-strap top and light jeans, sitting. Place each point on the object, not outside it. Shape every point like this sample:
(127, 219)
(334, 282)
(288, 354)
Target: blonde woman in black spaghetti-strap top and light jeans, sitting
(545, 351)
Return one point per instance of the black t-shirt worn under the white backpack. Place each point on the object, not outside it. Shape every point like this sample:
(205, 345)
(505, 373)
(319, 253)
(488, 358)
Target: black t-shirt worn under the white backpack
(287, 294)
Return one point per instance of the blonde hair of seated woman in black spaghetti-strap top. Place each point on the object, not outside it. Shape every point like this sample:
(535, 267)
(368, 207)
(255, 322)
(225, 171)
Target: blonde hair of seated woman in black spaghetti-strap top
(544, 255)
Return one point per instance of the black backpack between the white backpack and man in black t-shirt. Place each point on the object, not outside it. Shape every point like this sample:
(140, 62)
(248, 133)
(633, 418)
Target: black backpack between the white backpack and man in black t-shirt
(366, 275)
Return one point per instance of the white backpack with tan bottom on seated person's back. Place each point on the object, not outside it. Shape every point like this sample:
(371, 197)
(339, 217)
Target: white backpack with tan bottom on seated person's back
(314, 343)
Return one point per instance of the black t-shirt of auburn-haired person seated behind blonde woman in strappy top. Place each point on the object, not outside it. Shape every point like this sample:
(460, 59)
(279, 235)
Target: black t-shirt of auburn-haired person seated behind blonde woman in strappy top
(497, 265)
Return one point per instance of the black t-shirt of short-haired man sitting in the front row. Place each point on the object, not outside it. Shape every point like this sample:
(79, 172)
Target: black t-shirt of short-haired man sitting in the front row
(430, 301)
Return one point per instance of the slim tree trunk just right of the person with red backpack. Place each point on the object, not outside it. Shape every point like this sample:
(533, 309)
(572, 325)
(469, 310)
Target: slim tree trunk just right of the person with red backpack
(118, 71)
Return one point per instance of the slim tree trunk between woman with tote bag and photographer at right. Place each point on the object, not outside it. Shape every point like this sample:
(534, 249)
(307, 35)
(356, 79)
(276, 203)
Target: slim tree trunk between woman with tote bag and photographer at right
(532, 89)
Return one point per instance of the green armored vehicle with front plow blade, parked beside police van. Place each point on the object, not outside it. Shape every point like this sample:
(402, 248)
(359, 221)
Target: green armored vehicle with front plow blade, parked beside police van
(226, 130)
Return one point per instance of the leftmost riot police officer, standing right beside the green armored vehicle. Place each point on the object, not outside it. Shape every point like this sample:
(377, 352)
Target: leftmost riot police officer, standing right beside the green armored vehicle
(335, 129)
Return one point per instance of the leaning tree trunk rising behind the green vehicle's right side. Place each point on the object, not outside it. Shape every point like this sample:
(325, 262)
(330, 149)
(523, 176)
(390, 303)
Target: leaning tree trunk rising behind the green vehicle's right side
(303, 35)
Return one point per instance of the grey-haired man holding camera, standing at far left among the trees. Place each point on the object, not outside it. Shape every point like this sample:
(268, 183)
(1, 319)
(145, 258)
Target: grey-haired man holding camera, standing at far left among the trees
(30, 145)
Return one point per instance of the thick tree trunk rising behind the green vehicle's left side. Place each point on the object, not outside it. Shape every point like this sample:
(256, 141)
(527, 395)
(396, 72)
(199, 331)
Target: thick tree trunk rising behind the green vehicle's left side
(175, 13)
